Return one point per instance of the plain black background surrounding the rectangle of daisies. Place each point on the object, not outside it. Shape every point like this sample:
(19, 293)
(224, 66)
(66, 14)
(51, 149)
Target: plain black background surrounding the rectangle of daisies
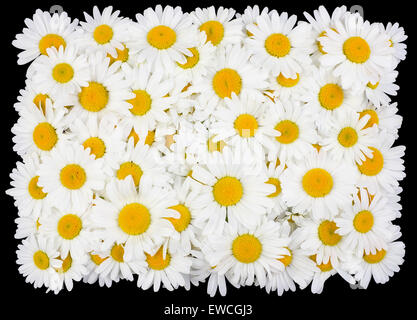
(124, 297)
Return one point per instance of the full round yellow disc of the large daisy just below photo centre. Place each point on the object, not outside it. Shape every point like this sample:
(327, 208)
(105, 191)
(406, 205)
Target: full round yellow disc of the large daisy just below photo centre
(228, 191)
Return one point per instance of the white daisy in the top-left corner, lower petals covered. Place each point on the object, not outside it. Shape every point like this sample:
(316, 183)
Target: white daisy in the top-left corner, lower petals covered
(44, 31)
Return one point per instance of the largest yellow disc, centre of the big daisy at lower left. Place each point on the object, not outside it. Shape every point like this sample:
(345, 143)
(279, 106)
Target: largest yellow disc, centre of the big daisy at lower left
(134, 219)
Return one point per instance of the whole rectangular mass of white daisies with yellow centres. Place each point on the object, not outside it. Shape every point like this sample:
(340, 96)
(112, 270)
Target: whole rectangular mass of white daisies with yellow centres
(231, 149)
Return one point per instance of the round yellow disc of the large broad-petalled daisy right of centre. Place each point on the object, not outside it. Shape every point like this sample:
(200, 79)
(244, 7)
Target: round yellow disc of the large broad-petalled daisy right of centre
(317, 182)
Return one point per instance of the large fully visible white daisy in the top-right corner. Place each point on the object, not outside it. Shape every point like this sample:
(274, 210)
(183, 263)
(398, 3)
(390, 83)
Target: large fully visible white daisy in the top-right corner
(357, 50)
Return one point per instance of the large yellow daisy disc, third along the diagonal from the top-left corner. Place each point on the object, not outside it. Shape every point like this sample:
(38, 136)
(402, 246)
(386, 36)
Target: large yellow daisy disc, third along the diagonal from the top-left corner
(94, 97)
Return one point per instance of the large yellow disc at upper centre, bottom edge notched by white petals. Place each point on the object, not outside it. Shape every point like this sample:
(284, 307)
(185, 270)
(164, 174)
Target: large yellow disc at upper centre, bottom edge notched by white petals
(225, 82)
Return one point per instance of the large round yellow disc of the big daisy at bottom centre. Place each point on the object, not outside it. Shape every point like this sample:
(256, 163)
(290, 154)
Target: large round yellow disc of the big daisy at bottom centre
(246, 248)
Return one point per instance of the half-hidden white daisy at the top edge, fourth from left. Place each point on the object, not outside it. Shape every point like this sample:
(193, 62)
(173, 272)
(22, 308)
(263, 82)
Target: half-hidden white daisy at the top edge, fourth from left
(221, 28)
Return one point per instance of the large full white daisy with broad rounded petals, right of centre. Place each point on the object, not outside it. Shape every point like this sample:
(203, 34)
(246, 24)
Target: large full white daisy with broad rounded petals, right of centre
(319, 184)
